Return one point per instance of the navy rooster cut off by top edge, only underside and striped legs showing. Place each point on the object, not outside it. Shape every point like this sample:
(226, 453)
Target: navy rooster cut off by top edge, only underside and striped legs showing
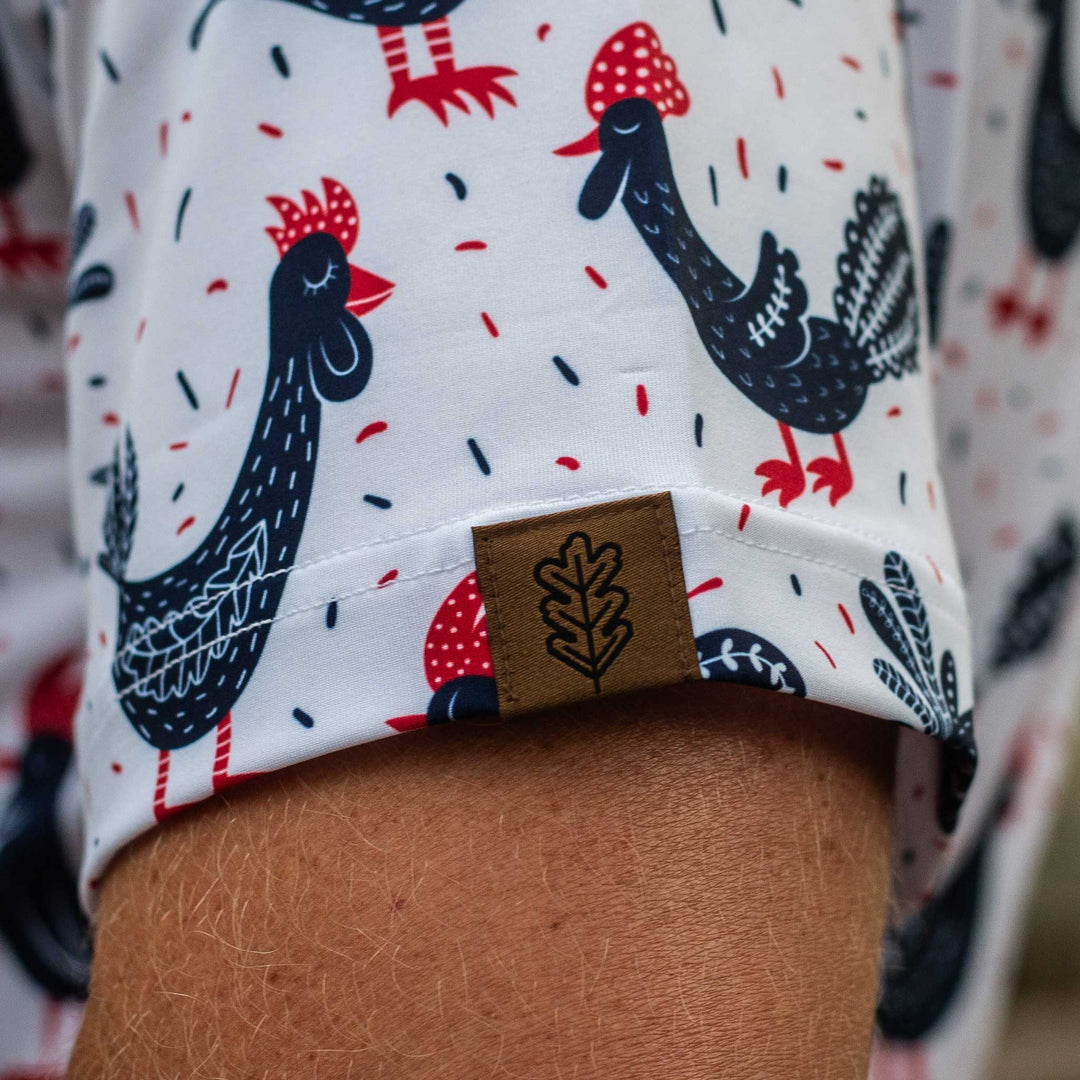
(445, 86)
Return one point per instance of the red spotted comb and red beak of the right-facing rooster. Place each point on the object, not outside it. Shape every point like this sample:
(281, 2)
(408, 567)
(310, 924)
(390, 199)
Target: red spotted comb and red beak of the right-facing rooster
(336, 217)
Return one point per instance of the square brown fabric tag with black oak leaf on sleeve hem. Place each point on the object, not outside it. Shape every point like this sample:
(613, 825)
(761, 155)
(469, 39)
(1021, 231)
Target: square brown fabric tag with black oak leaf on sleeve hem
(584, 603)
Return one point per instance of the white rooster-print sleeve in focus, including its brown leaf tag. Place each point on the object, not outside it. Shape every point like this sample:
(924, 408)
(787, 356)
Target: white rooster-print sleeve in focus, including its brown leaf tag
(461, 362)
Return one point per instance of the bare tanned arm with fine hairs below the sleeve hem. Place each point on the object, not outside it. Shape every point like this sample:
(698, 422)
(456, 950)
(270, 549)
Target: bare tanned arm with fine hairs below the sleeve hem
(687, 884)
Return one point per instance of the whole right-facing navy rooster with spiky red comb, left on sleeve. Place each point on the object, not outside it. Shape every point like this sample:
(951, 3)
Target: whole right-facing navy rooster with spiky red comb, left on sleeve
(190, 639)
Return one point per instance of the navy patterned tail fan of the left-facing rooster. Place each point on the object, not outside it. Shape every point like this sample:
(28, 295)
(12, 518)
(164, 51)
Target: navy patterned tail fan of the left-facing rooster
(876, 300)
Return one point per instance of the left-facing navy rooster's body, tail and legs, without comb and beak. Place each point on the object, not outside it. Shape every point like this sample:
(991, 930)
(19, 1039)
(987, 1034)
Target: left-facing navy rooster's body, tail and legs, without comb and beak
(812, 374)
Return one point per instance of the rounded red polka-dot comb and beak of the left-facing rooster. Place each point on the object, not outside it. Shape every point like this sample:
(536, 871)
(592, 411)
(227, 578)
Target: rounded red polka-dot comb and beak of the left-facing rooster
(631, 64)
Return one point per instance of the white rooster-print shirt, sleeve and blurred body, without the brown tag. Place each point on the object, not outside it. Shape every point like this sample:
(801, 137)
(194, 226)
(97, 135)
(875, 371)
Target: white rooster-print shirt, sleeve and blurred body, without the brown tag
(632, 249)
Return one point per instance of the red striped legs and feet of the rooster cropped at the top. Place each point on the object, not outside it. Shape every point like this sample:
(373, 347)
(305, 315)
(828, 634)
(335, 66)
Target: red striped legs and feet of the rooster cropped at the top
(447, 86)
